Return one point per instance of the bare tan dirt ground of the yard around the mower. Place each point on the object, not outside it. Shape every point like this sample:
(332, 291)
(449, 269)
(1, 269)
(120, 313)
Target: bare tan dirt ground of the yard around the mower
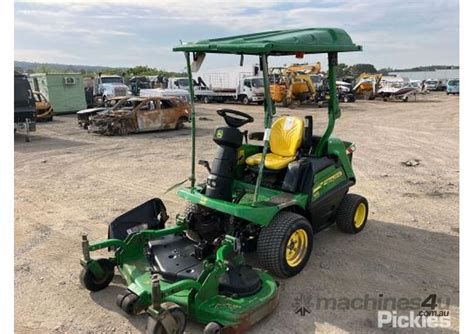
(68, 181)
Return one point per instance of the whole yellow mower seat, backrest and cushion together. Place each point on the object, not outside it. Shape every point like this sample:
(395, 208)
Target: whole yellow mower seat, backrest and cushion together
(285, 139)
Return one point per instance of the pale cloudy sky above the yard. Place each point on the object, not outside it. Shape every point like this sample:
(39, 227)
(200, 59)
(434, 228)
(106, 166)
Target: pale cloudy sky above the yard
(393, 33)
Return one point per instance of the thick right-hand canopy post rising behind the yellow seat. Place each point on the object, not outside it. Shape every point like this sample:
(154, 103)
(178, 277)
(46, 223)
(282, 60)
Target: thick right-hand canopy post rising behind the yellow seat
(333, 109)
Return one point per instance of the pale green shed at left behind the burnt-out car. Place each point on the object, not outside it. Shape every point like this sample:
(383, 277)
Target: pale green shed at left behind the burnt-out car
(64, 98)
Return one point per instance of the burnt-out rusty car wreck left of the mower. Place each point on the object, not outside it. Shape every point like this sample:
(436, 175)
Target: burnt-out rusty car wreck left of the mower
(141, 114)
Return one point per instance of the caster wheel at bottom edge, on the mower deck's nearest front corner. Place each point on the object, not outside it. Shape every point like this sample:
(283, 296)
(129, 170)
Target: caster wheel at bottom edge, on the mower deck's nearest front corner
(174, 321)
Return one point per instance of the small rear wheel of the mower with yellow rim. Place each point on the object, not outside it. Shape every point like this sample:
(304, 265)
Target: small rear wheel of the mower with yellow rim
(352, 214)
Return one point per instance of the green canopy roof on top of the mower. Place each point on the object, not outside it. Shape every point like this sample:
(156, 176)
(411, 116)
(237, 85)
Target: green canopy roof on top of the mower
(279, 42)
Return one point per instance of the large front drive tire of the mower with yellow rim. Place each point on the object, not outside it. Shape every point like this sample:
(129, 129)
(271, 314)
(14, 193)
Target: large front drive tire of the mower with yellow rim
(284, 247)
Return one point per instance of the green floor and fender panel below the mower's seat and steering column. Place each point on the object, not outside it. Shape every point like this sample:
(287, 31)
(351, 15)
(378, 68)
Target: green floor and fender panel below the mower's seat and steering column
(262, 212)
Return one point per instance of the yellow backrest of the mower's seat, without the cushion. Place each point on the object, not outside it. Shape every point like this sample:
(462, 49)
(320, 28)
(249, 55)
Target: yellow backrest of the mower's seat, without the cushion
(286, 135)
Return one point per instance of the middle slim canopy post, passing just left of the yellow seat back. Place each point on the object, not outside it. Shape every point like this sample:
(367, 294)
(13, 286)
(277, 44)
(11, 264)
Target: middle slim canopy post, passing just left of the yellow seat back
(267, 123)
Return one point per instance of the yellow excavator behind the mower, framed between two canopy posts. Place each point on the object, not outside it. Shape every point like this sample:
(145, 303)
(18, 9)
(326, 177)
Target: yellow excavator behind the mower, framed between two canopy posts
(294, 83)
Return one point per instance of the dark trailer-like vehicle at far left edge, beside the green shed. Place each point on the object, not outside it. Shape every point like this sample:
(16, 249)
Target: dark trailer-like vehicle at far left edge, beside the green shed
(25, 110)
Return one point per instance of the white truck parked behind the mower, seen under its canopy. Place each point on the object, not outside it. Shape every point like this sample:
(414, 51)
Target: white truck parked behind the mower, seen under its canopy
(224, 85)
